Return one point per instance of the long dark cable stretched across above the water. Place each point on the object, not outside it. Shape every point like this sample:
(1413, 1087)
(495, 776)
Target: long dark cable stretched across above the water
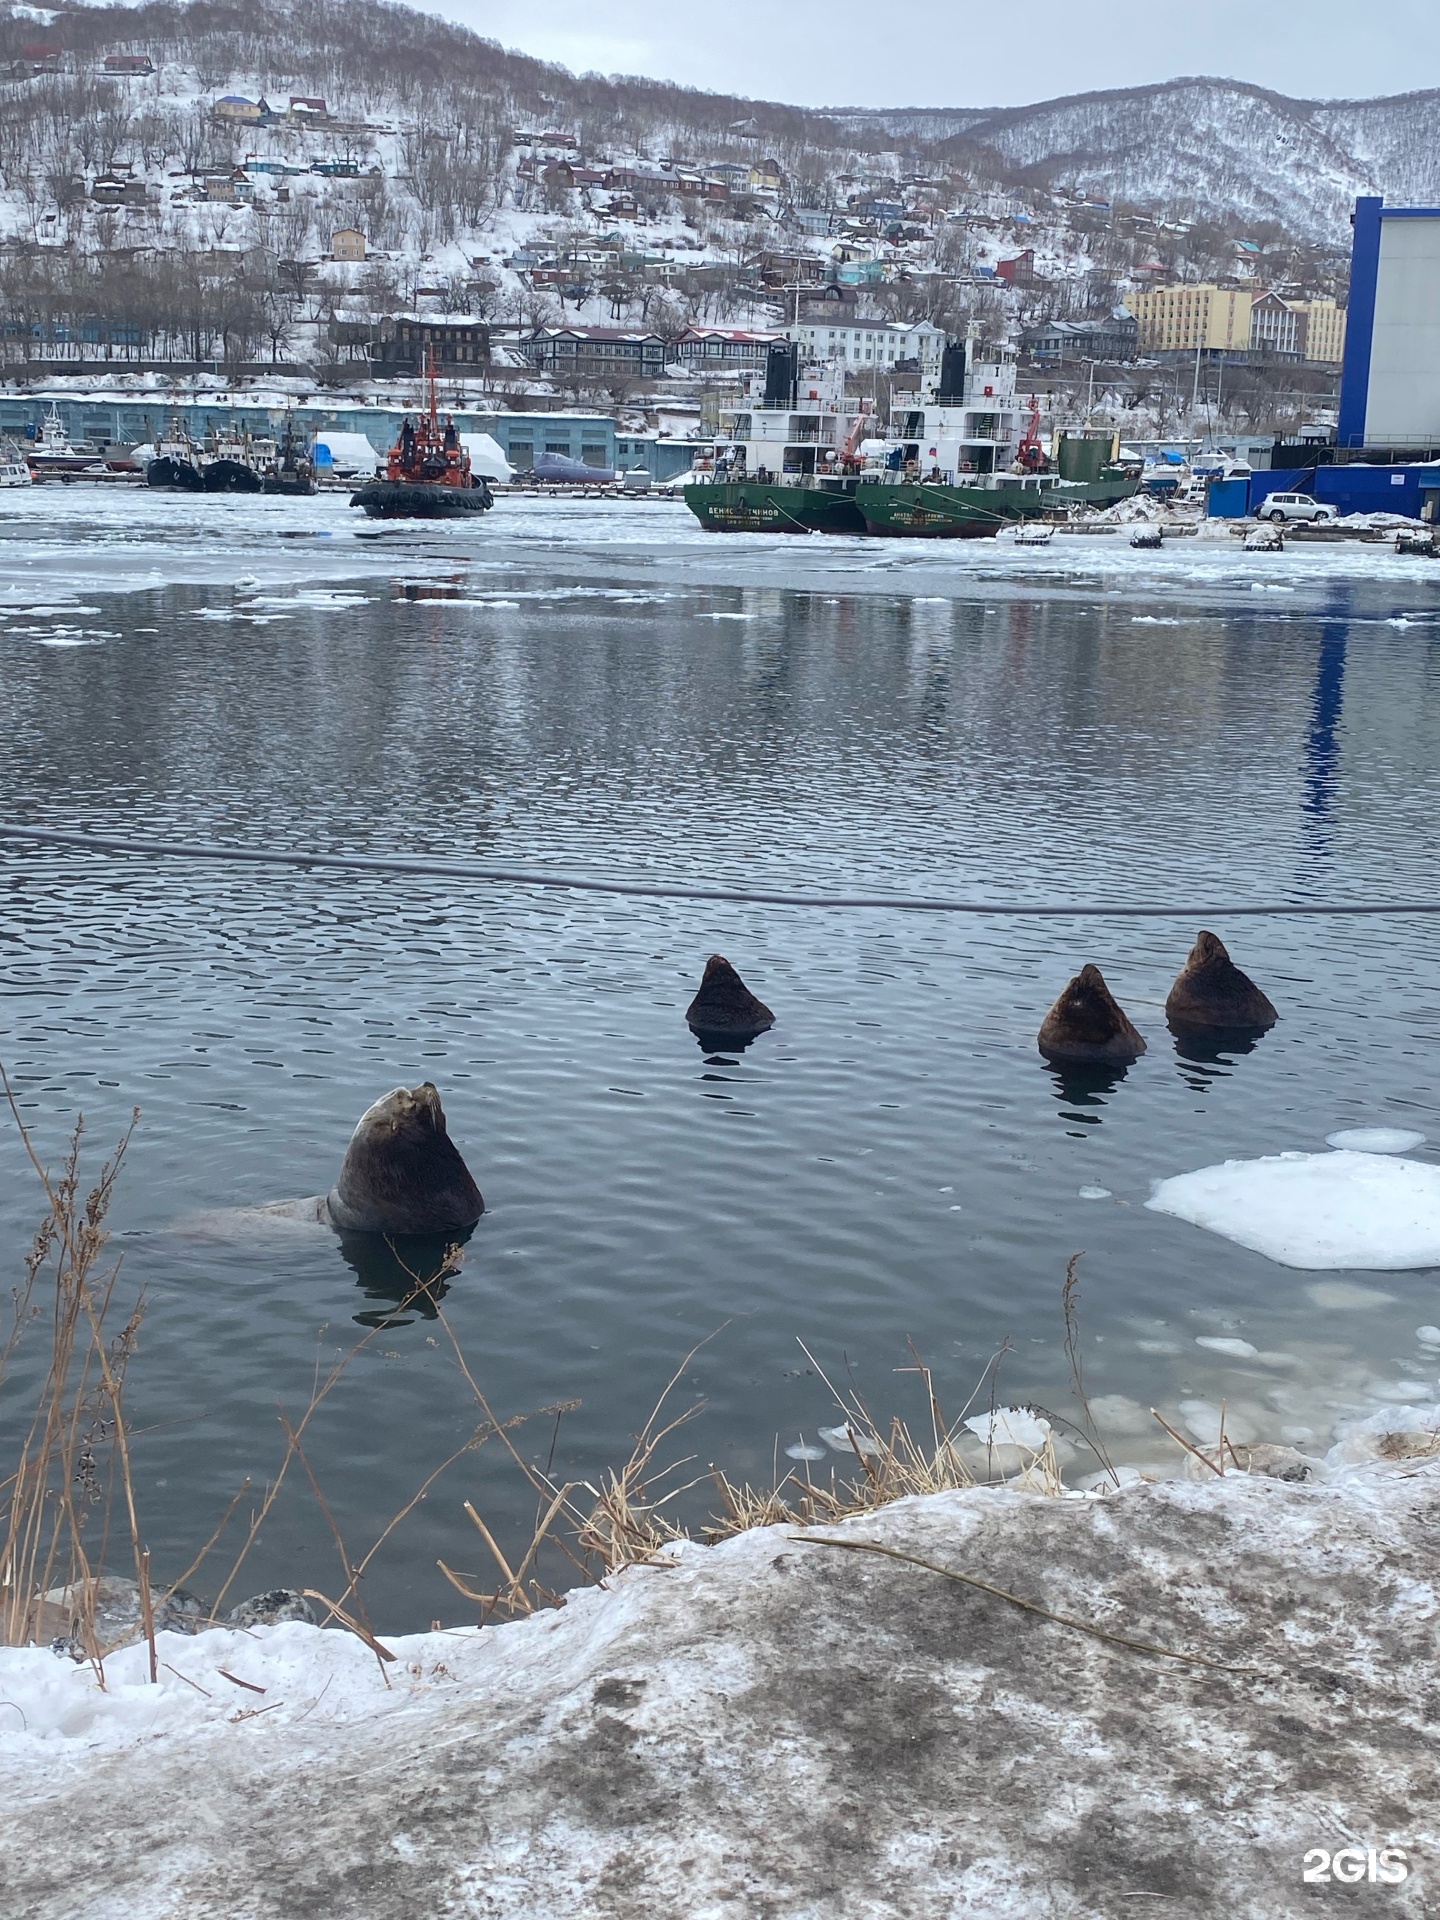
(510, 876)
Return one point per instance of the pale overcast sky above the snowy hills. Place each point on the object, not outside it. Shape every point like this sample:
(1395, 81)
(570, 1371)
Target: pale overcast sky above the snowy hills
(951, 53)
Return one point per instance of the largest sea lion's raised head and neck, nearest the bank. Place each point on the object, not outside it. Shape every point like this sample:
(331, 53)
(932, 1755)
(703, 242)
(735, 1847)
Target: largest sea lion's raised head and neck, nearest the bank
(402, 1172)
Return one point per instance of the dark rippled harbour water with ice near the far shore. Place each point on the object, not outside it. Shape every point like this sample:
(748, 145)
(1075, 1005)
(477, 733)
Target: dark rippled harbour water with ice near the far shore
(608, 690)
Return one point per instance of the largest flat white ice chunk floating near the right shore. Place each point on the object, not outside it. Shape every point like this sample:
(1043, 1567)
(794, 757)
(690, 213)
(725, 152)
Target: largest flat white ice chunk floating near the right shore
(1316, 1211)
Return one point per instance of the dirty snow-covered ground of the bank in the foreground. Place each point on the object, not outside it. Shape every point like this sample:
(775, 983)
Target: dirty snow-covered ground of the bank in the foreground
(792, 1731)
